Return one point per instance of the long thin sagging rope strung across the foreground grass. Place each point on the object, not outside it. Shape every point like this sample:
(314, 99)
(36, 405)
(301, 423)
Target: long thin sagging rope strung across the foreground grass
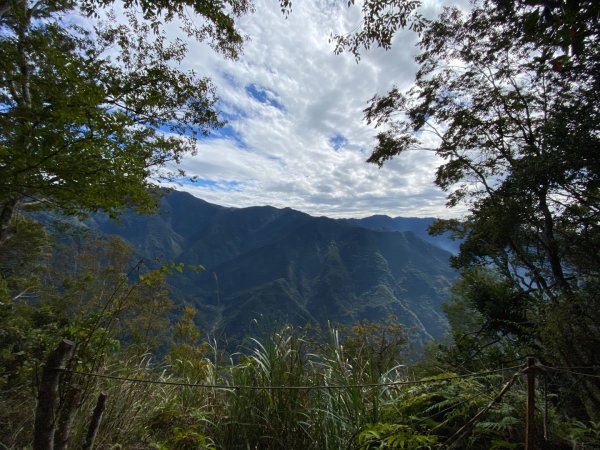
(306, 387)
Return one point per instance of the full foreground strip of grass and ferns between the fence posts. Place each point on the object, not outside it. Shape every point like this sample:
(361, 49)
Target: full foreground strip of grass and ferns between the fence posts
(332, 404)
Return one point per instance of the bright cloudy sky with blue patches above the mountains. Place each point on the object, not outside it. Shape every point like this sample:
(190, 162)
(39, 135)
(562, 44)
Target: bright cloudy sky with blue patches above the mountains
(296, 136)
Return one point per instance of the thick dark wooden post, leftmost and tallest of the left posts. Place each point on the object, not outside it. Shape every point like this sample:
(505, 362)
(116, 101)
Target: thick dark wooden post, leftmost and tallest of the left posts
(48, 396)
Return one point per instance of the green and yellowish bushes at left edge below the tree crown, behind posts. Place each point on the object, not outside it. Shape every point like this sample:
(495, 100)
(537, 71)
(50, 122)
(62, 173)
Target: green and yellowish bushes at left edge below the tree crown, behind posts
(85, 291)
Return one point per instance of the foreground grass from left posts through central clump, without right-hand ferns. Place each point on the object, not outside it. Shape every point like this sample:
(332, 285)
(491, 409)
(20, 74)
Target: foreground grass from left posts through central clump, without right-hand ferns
(254, 409)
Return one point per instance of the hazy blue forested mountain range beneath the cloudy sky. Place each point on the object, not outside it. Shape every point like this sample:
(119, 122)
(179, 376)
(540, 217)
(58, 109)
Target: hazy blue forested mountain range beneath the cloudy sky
(281, 265)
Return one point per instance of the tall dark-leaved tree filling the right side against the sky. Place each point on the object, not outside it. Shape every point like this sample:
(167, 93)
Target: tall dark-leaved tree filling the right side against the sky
(509, 93)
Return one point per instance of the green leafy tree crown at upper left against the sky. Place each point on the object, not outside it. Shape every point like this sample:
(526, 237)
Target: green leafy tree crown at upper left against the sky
(89, 118)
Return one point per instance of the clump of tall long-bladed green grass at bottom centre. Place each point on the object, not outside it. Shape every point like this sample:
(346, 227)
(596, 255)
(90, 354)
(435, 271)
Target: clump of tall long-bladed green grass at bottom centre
(326, 413)
